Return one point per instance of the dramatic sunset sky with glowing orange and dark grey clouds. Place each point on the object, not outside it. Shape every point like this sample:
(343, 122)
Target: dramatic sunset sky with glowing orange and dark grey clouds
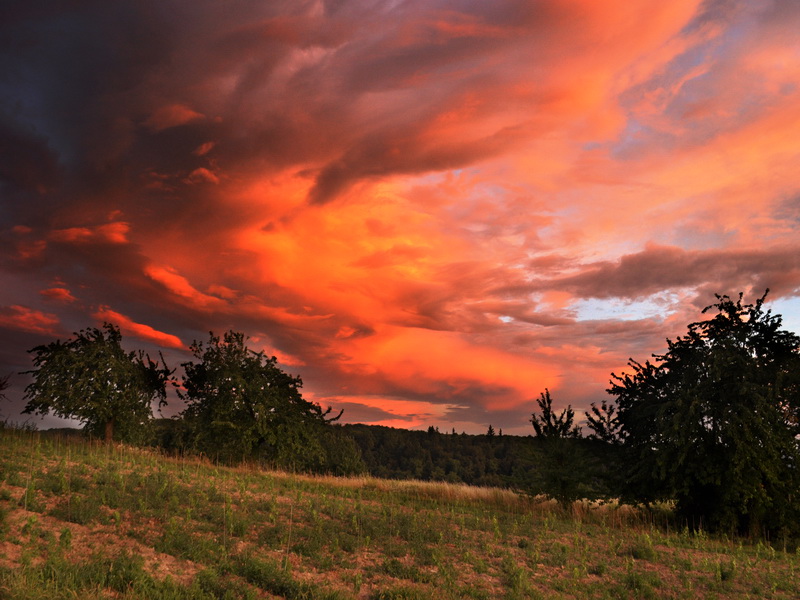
(430, 210)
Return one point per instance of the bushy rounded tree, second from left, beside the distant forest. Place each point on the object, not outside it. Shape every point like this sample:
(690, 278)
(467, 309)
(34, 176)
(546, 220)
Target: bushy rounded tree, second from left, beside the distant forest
(242, 405)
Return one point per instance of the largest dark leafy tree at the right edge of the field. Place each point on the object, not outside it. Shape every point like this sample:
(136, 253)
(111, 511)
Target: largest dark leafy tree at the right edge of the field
(713, 422)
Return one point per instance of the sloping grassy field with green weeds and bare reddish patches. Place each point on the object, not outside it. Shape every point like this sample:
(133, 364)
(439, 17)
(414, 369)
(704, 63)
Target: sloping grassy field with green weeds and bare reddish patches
(91, 521)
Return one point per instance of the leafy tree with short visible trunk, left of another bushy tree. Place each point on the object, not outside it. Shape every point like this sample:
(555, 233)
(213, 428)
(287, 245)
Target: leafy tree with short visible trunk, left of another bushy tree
(92, 379)
